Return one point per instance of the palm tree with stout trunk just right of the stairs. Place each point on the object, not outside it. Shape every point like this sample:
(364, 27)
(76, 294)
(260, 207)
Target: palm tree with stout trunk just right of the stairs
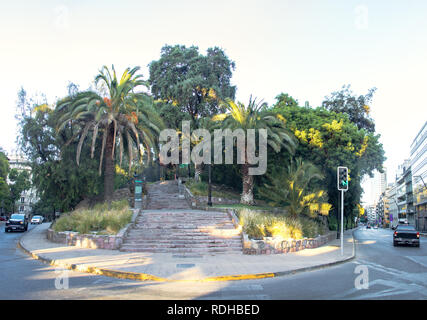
(255, 116)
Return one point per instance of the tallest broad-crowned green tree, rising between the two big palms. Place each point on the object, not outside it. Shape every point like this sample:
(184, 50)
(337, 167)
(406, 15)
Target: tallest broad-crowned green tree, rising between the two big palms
(192, 82)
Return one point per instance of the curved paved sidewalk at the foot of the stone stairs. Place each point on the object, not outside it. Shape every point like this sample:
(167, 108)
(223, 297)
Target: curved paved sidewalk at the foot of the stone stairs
(171, 267)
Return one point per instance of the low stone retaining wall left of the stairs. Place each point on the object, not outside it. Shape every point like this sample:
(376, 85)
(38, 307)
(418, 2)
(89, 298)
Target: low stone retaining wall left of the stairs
(91, 241)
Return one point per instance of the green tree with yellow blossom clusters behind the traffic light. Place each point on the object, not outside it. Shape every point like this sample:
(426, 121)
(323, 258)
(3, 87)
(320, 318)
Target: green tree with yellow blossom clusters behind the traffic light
(328, 140)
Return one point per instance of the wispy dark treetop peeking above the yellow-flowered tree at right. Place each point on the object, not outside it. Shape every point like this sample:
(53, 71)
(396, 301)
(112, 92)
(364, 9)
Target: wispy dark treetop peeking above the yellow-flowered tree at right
(357, 107)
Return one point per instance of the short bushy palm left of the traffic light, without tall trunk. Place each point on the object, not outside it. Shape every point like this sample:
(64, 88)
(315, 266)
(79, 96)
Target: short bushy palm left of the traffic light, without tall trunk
(290, 188)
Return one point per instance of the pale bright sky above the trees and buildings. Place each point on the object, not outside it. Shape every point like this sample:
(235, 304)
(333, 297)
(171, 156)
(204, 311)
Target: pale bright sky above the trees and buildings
(307, 49)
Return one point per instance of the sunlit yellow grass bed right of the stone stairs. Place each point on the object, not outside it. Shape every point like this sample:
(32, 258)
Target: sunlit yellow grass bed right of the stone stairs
(258, 224)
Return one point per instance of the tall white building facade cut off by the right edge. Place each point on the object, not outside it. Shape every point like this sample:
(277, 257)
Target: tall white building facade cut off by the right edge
(419, 177)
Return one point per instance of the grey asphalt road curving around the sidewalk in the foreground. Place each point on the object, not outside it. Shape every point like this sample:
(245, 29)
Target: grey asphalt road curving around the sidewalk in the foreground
(388, 273)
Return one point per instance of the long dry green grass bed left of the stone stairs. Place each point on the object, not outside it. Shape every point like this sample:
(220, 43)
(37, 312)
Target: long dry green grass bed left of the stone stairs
(99, 219)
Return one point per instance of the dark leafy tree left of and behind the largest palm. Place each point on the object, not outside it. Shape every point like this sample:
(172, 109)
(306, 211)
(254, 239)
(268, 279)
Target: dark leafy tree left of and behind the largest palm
(60, 183)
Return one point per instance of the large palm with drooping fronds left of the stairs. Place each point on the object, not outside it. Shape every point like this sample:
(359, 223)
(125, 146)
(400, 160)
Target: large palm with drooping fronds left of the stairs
(125, 118)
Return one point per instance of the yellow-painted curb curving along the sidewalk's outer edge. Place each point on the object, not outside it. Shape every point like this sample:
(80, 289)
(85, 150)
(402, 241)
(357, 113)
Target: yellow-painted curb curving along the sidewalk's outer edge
(149, 277)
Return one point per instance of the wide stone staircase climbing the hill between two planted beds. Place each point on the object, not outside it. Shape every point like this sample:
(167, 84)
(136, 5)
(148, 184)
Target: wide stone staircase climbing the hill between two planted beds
(167, 227)
